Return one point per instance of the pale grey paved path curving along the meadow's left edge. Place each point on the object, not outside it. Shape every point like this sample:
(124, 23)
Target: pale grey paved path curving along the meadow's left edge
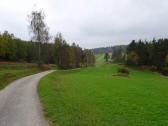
(19, 103)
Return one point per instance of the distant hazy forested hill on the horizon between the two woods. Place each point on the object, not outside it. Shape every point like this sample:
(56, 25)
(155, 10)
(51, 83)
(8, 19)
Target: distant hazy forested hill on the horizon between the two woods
(108, 49)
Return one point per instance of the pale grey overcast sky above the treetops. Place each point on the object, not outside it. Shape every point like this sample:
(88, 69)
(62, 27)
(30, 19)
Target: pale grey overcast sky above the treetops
(90, 23)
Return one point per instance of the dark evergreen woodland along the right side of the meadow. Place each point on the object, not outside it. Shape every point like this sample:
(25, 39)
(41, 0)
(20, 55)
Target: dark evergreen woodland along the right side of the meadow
(153, 54)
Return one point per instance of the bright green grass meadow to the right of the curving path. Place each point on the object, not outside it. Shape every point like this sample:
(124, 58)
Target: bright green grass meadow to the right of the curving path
(93, 97)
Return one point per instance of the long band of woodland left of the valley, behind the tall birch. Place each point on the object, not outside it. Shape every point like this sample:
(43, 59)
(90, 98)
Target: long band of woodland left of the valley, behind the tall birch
(59, 52)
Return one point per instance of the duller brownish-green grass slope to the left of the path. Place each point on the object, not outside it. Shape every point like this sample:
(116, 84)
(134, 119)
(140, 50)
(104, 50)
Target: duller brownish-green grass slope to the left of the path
(13, 71)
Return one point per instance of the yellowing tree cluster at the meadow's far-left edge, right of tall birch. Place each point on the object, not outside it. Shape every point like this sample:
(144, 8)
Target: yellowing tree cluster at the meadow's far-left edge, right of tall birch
(71, 56)
